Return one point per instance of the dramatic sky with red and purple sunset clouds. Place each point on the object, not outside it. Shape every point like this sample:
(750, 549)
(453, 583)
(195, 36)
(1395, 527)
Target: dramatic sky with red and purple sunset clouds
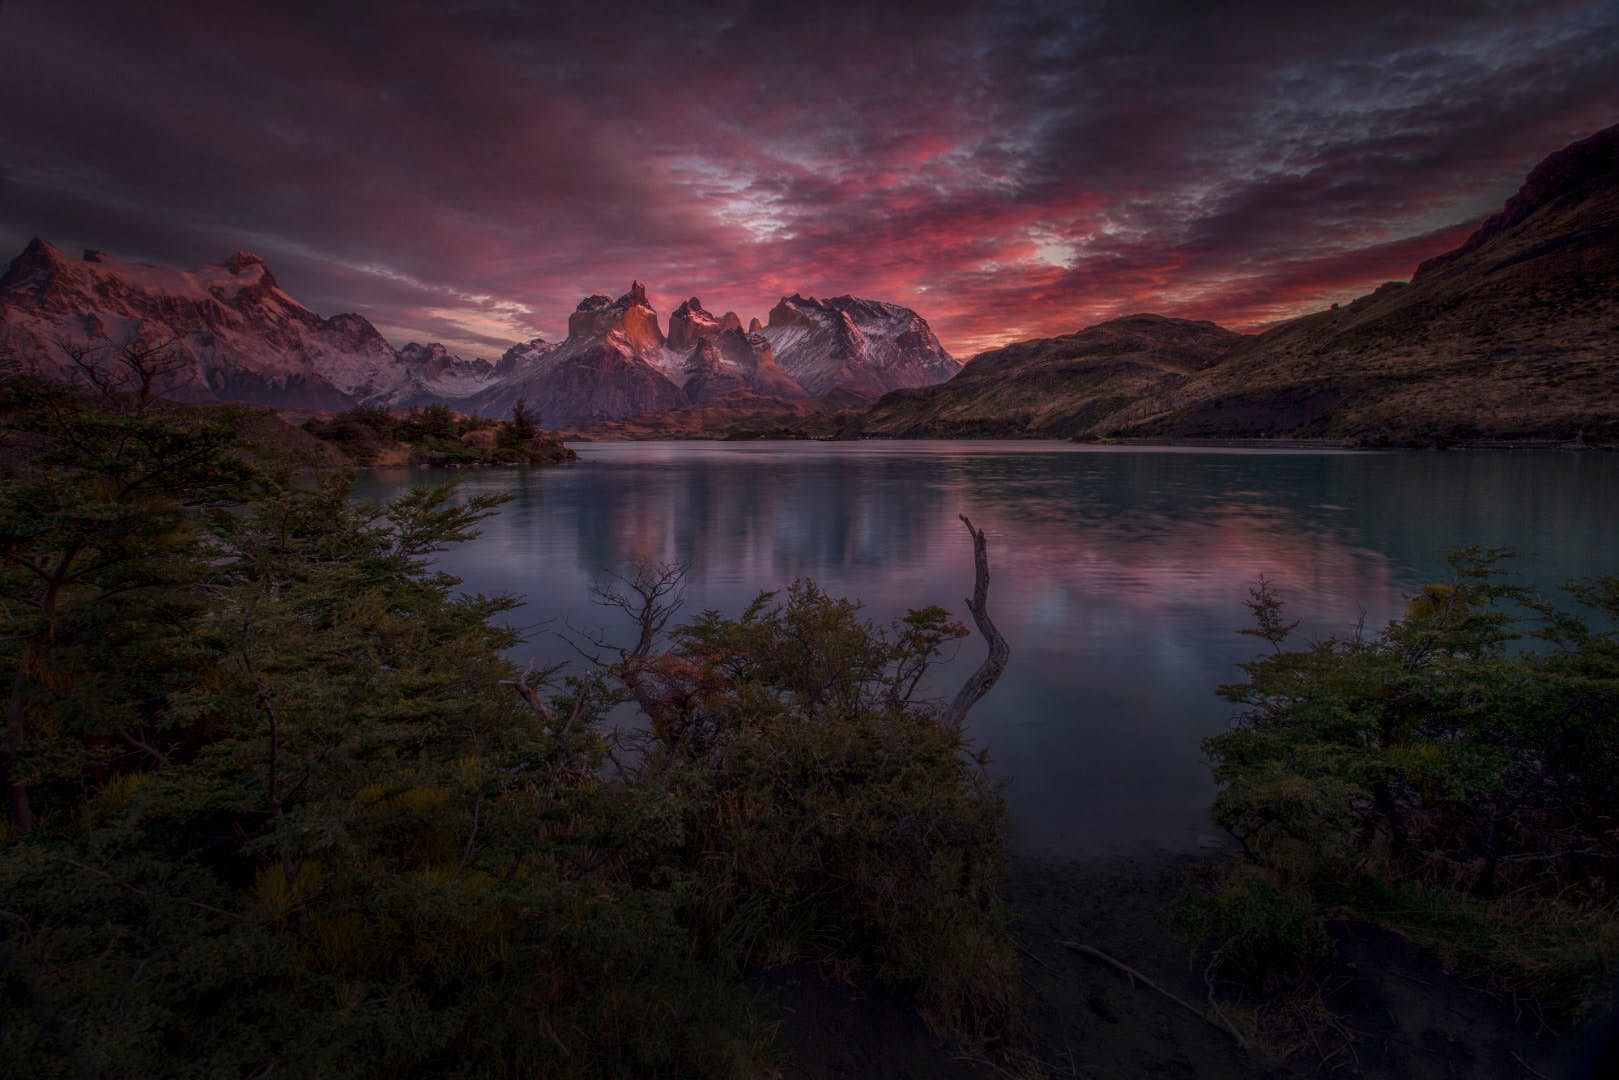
(467, 171)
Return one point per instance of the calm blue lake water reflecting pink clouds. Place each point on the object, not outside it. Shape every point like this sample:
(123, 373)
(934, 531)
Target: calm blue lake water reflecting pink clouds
(1120, 574)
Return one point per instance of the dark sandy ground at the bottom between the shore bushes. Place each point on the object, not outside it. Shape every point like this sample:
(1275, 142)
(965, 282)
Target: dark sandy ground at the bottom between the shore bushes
(1084, 1019)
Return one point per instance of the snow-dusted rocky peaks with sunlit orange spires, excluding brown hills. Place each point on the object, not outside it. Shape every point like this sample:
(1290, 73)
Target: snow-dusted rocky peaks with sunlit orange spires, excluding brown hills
(242, 338)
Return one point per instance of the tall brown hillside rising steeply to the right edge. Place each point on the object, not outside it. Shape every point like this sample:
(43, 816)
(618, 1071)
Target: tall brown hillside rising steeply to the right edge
(1511, 336)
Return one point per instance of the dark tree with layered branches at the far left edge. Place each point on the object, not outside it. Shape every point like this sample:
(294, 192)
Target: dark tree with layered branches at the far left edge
(98, 542)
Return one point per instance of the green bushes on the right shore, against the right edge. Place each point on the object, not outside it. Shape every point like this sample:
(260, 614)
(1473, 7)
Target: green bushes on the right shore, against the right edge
(1455, 776)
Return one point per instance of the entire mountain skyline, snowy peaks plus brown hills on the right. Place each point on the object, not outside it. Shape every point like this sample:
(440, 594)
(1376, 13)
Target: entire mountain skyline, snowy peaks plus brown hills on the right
(1511, 336)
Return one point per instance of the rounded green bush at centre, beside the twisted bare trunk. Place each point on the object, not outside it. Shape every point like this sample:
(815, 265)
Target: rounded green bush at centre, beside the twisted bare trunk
(833, 814)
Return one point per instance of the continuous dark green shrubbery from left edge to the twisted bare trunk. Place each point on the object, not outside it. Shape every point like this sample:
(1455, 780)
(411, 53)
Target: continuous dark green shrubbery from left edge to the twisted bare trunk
(287, 814)
